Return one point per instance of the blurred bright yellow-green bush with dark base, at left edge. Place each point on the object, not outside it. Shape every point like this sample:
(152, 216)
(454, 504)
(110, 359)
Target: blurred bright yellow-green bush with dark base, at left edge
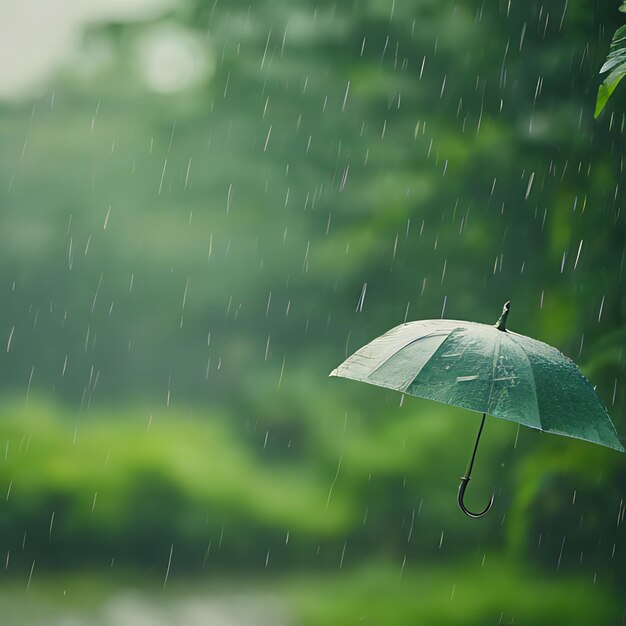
(92, 488)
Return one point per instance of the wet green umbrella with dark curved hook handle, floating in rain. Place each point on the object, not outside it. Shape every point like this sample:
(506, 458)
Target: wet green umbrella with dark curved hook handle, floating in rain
(488, 369)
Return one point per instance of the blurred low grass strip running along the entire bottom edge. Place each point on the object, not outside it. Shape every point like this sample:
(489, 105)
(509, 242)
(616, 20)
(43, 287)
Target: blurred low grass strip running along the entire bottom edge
(495, 592)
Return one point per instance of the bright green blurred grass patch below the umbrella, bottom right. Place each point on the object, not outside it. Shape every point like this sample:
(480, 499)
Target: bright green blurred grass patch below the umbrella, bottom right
(497, 592)
